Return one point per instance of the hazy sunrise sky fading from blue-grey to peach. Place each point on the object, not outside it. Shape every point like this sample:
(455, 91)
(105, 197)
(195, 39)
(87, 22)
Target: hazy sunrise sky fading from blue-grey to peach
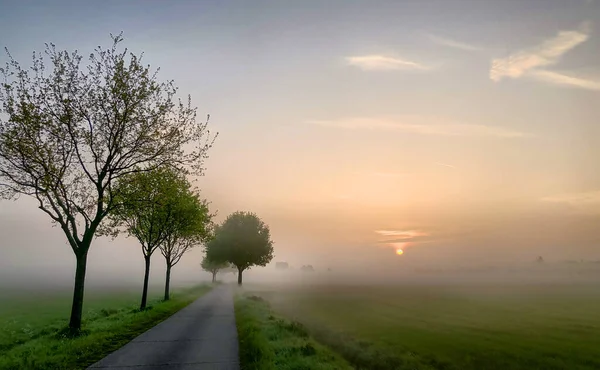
(462, 132)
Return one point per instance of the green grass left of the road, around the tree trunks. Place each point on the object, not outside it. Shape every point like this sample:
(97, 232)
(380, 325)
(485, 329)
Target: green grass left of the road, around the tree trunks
(31, 331)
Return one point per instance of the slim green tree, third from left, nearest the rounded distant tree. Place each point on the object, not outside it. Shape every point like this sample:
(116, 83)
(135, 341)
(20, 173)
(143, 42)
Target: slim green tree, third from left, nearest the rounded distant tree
(188, 226)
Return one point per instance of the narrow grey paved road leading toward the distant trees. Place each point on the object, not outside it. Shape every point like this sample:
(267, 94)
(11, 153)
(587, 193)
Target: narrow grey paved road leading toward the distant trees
(201, 336)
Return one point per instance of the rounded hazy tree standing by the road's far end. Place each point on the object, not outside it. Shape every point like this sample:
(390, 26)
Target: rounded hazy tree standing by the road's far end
(243, 240)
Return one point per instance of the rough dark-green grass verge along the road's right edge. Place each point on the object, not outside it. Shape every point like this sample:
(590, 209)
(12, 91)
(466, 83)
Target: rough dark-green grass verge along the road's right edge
(268, 342)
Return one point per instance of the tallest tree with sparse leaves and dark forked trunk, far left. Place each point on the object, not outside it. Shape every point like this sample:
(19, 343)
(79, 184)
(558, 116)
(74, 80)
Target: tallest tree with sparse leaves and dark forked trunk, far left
(67, 134)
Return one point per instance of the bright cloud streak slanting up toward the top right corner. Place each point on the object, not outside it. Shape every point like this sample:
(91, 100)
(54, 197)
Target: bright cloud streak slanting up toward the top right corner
(547, 53)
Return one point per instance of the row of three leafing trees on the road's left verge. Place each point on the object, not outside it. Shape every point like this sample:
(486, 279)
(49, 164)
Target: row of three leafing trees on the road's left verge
(103, 146)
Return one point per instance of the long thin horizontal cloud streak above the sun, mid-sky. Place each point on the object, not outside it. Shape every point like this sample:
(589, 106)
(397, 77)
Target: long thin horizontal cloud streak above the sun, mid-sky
(422, 125)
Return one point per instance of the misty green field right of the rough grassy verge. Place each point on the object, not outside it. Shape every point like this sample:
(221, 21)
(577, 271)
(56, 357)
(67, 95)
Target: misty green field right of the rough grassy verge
(450, 326)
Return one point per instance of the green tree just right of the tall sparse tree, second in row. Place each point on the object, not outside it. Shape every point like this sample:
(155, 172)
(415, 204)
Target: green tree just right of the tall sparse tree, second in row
(148, 205)
